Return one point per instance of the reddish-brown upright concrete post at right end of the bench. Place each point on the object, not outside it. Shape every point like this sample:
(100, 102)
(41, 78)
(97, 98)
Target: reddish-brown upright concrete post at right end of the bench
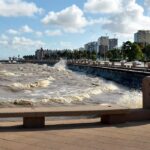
(146, 92)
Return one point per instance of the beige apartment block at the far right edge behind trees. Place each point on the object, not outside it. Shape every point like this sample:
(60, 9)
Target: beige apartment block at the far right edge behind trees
(142, 37)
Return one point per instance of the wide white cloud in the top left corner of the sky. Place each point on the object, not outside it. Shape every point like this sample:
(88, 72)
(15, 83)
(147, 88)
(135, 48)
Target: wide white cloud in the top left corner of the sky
(14, 8)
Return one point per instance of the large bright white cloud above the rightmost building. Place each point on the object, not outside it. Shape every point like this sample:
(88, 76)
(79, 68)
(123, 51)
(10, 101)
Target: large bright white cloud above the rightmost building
(129, 20)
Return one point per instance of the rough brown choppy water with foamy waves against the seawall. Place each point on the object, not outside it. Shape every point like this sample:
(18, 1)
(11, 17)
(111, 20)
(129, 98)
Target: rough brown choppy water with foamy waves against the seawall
(36, 85)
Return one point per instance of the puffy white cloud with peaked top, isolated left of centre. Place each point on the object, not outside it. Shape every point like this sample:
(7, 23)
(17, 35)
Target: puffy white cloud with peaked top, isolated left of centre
(71, 19)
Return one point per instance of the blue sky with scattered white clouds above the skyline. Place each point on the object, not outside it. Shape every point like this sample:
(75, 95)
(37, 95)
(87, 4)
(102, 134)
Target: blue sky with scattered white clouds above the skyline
(26, 25)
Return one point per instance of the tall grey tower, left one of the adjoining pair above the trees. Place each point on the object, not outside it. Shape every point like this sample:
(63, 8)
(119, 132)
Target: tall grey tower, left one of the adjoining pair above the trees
(103, 45)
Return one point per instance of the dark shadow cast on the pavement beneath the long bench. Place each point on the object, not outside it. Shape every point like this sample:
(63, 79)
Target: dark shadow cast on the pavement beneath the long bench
(69, 126)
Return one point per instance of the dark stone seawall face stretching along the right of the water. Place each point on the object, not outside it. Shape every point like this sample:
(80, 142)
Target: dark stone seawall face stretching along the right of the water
(129, 78)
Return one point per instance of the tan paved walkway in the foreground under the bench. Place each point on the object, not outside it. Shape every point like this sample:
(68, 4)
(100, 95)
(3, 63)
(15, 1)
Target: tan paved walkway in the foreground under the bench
(75, 135)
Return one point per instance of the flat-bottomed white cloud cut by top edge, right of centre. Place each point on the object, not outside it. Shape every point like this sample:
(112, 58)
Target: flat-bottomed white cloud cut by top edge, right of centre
(103, 6)
